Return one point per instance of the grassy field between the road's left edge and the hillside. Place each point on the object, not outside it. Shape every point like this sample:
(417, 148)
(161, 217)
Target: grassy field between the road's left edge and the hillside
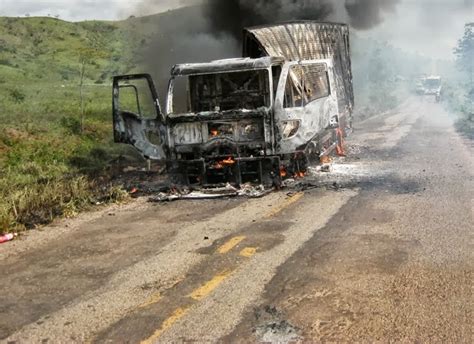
(46, 162)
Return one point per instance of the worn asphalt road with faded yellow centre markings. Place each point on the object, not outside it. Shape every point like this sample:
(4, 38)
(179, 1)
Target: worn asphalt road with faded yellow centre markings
(381, 250)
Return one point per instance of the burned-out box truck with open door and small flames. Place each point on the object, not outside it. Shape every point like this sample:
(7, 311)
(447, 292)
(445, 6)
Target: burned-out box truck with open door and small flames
(282, 106)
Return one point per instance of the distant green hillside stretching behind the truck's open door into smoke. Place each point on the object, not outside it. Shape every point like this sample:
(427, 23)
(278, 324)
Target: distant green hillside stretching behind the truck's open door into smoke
(44, 49)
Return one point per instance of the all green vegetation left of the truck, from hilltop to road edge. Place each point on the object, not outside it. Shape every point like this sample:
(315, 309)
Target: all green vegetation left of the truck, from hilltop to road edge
(55, 115)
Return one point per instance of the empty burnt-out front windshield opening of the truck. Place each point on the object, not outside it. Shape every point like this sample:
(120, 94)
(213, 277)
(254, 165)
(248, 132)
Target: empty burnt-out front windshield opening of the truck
(242, 90)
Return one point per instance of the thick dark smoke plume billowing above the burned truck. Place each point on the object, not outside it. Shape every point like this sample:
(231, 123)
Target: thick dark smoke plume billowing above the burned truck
(213, 29)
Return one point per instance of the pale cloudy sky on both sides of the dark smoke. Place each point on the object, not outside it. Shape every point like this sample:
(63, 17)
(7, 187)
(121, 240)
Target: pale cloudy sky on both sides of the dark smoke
(431, 27)
